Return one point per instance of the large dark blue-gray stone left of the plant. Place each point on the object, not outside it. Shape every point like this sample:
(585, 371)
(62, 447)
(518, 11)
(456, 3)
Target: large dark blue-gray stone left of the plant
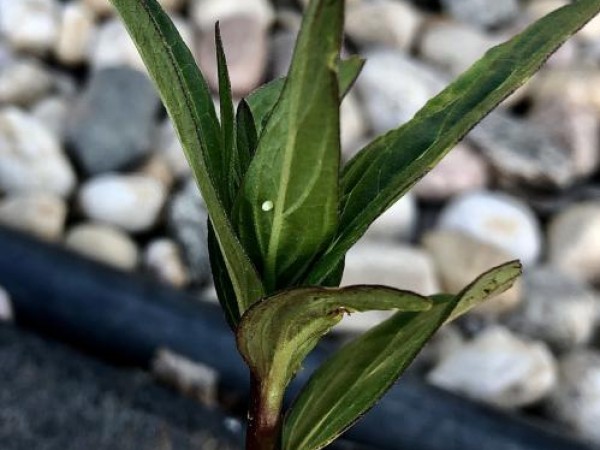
(112, 123)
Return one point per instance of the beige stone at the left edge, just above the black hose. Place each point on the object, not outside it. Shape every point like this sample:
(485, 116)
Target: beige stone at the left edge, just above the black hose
(39, 213)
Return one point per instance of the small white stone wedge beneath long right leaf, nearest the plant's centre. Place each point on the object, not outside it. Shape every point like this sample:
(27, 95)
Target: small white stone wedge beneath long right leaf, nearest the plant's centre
(397, 223)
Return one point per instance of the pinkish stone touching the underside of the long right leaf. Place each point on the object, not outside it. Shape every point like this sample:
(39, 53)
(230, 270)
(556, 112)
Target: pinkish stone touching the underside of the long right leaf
(460, 171)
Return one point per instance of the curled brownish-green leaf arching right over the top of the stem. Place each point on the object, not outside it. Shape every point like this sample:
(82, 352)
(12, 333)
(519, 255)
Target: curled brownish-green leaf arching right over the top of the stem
(276, 334)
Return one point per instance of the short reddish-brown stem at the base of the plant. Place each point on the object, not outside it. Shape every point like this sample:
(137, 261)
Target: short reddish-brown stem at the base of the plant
(265, 417)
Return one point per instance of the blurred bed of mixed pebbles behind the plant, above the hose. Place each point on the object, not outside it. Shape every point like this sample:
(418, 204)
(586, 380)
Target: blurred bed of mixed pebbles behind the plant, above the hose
(89, 160)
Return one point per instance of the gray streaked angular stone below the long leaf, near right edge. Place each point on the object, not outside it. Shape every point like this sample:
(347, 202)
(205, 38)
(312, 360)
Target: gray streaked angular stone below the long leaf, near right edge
(523, 154)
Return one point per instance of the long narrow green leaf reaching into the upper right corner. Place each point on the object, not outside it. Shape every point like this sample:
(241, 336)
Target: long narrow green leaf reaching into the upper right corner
(387, 168)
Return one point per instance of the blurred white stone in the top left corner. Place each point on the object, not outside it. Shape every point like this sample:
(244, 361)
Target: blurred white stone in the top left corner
(29, 25)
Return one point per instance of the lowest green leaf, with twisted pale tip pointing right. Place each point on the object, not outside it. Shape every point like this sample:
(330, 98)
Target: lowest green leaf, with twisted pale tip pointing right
(346, 386)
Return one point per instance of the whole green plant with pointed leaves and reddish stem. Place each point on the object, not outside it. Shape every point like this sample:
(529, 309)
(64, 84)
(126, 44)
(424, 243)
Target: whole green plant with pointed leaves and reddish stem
(283, 213)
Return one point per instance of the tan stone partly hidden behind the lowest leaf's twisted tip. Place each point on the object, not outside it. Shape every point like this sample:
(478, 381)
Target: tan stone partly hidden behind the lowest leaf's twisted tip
(460, 259)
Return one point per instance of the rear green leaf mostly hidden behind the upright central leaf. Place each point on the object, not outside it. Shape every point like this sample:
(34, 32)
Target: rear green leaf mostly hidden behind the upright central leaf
(263, 100)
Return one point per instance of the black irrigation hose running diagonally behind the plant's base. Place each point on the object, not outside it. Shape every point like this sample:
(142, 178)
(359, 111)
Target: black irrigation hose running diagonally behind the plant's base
(127, 318)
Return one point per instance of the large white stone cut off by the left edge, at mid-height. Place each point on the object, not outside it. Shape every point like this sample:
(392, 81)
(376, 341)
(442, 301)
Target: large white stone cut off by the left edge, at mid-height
(31, 157)
